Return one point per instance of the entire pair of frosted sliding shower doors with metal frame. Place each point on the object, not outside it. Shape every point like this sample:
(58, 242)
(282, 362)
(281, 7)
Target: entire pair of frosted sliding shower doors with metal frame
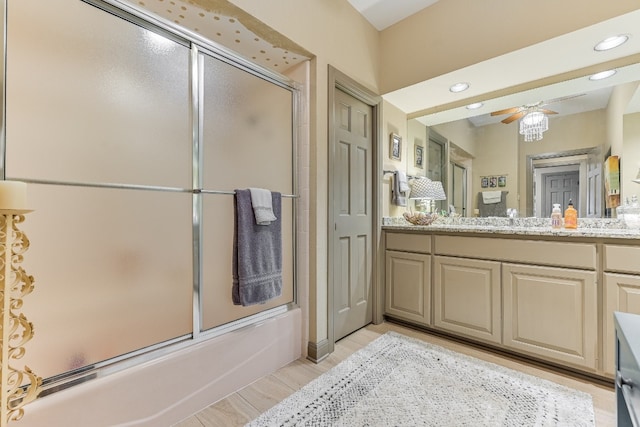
(119, 138)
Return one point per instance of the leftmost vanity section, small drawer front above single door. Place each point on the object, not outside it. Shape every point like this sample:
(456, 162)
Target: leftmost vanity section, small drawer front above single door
(408, 277)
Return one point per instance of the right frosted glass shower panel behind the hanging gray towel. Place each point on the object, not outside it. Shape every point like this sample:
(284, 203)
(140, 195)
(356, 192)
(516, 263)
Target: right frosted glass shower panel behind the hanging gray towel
(246, 142)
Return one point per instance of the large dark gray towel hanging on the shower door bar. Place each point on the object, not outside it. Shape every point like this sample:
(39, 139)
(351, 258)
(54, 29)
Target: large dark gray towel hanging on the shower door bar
(257, 253)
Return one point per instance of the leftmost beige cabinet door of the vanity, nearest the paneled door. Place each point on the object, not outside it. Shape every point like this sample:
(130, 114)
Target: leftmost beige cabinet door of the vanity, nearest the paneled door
(408, 290)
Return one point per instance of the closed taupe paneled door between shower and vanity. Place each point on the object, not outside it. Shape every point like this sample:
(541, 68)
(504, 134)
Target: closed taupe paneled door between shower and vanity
(352, 159)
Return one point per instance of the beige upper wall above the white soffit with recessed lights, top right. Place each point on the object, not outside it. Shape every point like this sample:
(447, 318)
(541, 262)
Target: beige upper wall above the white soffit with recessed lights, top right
(453, 34)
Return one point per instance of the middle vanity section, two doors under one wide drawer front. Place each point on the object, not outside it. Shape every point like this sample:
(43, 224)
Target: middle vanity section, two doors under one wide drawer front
(543, 295)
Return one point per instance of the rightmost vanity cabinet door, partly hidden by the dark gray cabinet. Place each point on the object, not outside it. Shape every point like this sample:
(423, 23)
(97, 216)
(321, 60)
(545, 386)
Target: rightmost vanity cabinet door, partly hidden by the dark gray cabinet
(621, 293)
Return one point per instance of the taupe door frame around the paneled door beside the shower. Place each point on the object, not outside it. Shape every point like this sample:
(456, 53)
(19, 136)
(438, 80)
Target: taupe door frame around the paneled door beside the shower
(340, 81)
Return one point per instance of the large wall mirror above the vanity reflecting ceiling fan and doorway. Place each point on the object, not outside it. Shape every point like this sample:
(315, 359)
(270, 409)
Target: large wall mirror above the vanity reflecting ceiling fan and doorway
(588, 120)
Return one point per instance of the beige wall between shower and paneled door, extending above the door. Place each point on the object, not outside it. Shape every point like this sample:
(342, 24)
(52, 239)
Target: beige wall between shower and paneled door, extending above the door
(337, 35)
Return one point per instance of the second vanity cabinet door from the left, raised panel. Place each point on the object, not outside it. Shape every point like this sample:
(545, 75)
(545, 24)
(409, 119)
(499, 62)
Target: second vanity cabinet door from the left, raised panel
(466, 297)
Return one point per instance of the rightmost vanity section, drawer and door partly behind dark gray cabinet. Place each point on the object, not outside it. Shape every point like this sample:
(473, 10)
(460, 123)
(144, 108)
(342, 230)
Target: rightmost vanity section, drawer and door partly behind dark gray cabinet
(621, 293)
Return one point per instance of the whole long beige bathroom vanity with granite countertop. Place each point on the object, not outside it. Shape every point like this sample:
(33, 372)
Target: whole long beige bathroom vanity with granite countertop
(535, 291)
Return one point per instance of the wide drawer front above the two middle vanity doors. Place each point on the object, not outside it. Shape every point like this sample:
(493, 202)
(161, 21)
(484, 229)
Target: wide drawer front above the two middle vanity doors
(576, 255)
